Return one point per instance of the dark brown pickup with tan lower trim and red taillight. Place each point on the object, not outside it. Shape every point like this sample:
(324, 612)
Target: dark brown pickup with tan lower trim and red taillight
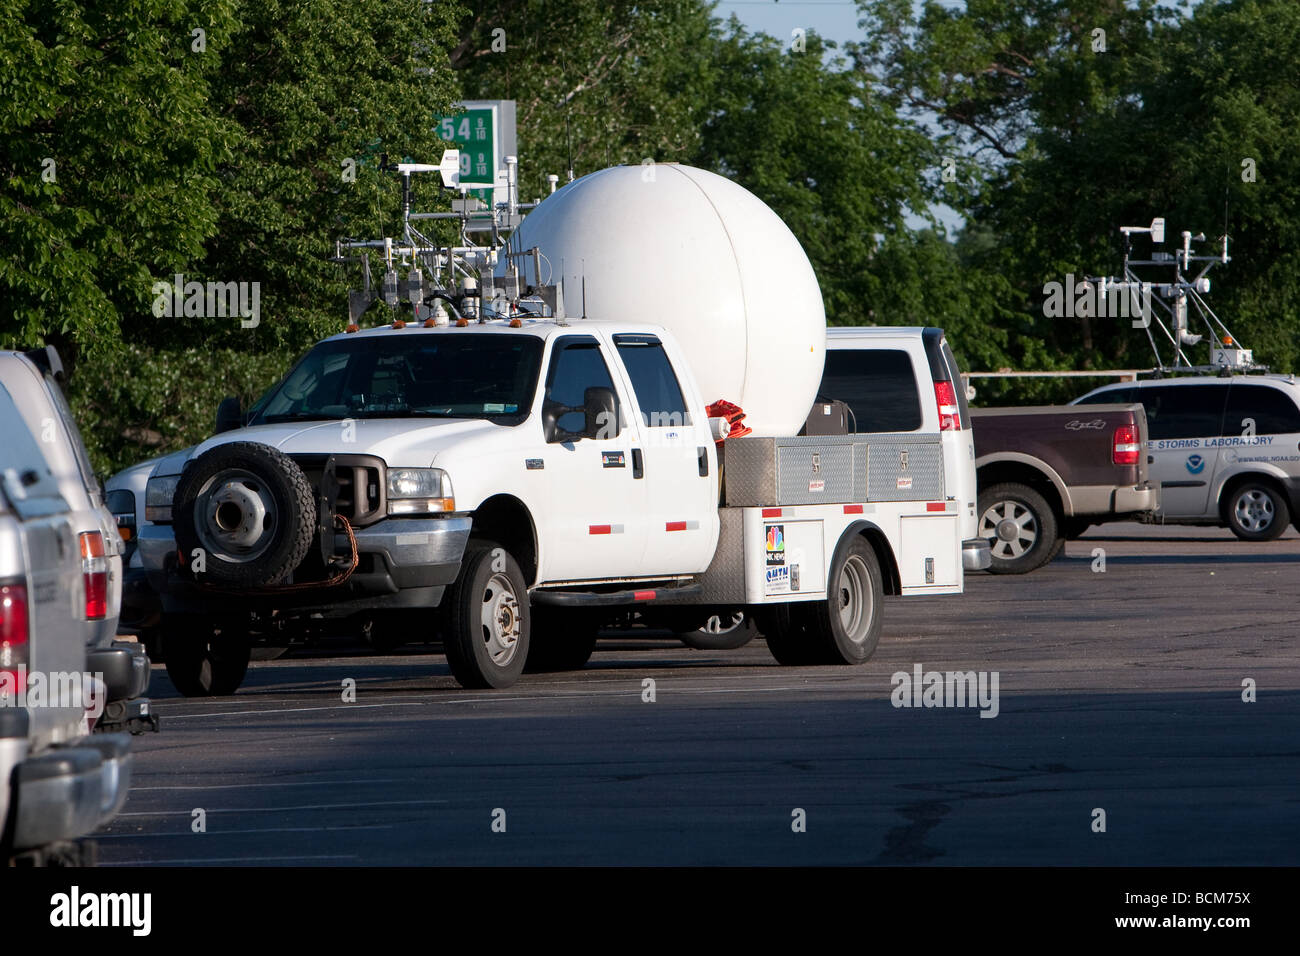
(1048, 473)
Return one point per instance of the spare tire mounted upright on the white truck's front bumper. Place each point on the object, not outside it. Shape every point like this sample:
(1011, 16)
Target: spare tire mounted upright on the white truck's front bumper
(252, 512)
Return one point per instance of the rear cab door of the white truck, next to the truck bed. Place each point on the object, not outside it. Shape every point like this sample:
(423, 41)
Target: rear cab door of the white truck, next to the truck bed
(678, 458)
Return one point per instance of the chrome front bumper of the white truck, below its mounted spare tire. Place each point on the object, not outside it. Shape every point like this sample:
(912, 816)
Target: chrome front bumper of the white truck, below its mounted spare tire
(396, 557)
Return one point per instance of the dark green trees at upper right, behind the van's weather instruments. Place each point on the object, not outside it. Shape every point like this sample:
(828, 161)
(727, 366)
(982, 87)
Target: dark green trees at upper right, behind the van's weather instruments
(1063, 145)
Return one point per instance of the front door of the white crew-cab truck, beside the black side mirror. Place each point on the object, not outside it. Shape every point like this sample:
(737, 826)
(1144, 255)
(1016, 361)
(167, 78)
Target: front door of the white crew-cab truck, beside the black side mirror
(595, 526)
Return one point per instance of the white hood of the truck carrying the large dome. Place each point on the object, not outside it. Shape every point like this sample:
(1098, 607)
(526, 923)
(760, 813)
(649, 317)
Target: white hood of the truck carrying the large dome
(401, 443)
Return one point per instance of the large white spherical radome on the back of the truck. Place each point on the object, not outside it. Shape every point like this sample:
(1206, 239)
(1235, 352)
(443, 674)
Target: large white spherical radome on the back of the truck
(692, 252)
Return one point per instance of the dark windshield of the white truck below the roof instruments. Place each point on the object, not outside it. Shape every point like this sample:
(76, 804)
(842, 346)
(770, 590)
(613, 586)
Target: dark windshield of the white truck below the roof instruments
(462, 377)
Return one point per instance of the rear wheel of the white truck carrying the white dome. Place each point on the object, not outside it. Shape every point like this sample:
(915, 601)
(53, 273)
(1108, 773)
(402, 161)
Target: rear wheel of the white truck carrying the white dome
(846, 628)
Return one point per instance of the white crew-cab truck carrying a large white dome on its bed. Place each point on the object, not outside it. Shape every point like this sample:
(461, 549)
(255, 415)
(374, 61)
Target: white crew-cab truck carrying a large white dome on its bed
(508, 482)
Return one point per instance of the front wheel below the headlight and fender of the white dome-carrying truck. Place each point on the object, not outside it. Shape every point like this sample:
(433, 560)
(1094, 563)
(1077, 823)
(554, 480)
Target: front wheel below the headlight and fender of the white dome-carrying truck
(488, 618)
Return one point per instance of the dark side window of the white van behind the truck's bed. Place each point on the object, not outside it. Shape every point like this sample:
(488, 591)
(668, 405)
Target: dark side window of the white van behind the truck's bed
(879, 386)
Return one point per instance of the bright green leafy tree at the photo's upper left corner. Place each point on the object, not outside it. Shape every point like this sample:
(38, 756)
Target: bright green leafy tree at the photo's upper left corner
(110, 102)
